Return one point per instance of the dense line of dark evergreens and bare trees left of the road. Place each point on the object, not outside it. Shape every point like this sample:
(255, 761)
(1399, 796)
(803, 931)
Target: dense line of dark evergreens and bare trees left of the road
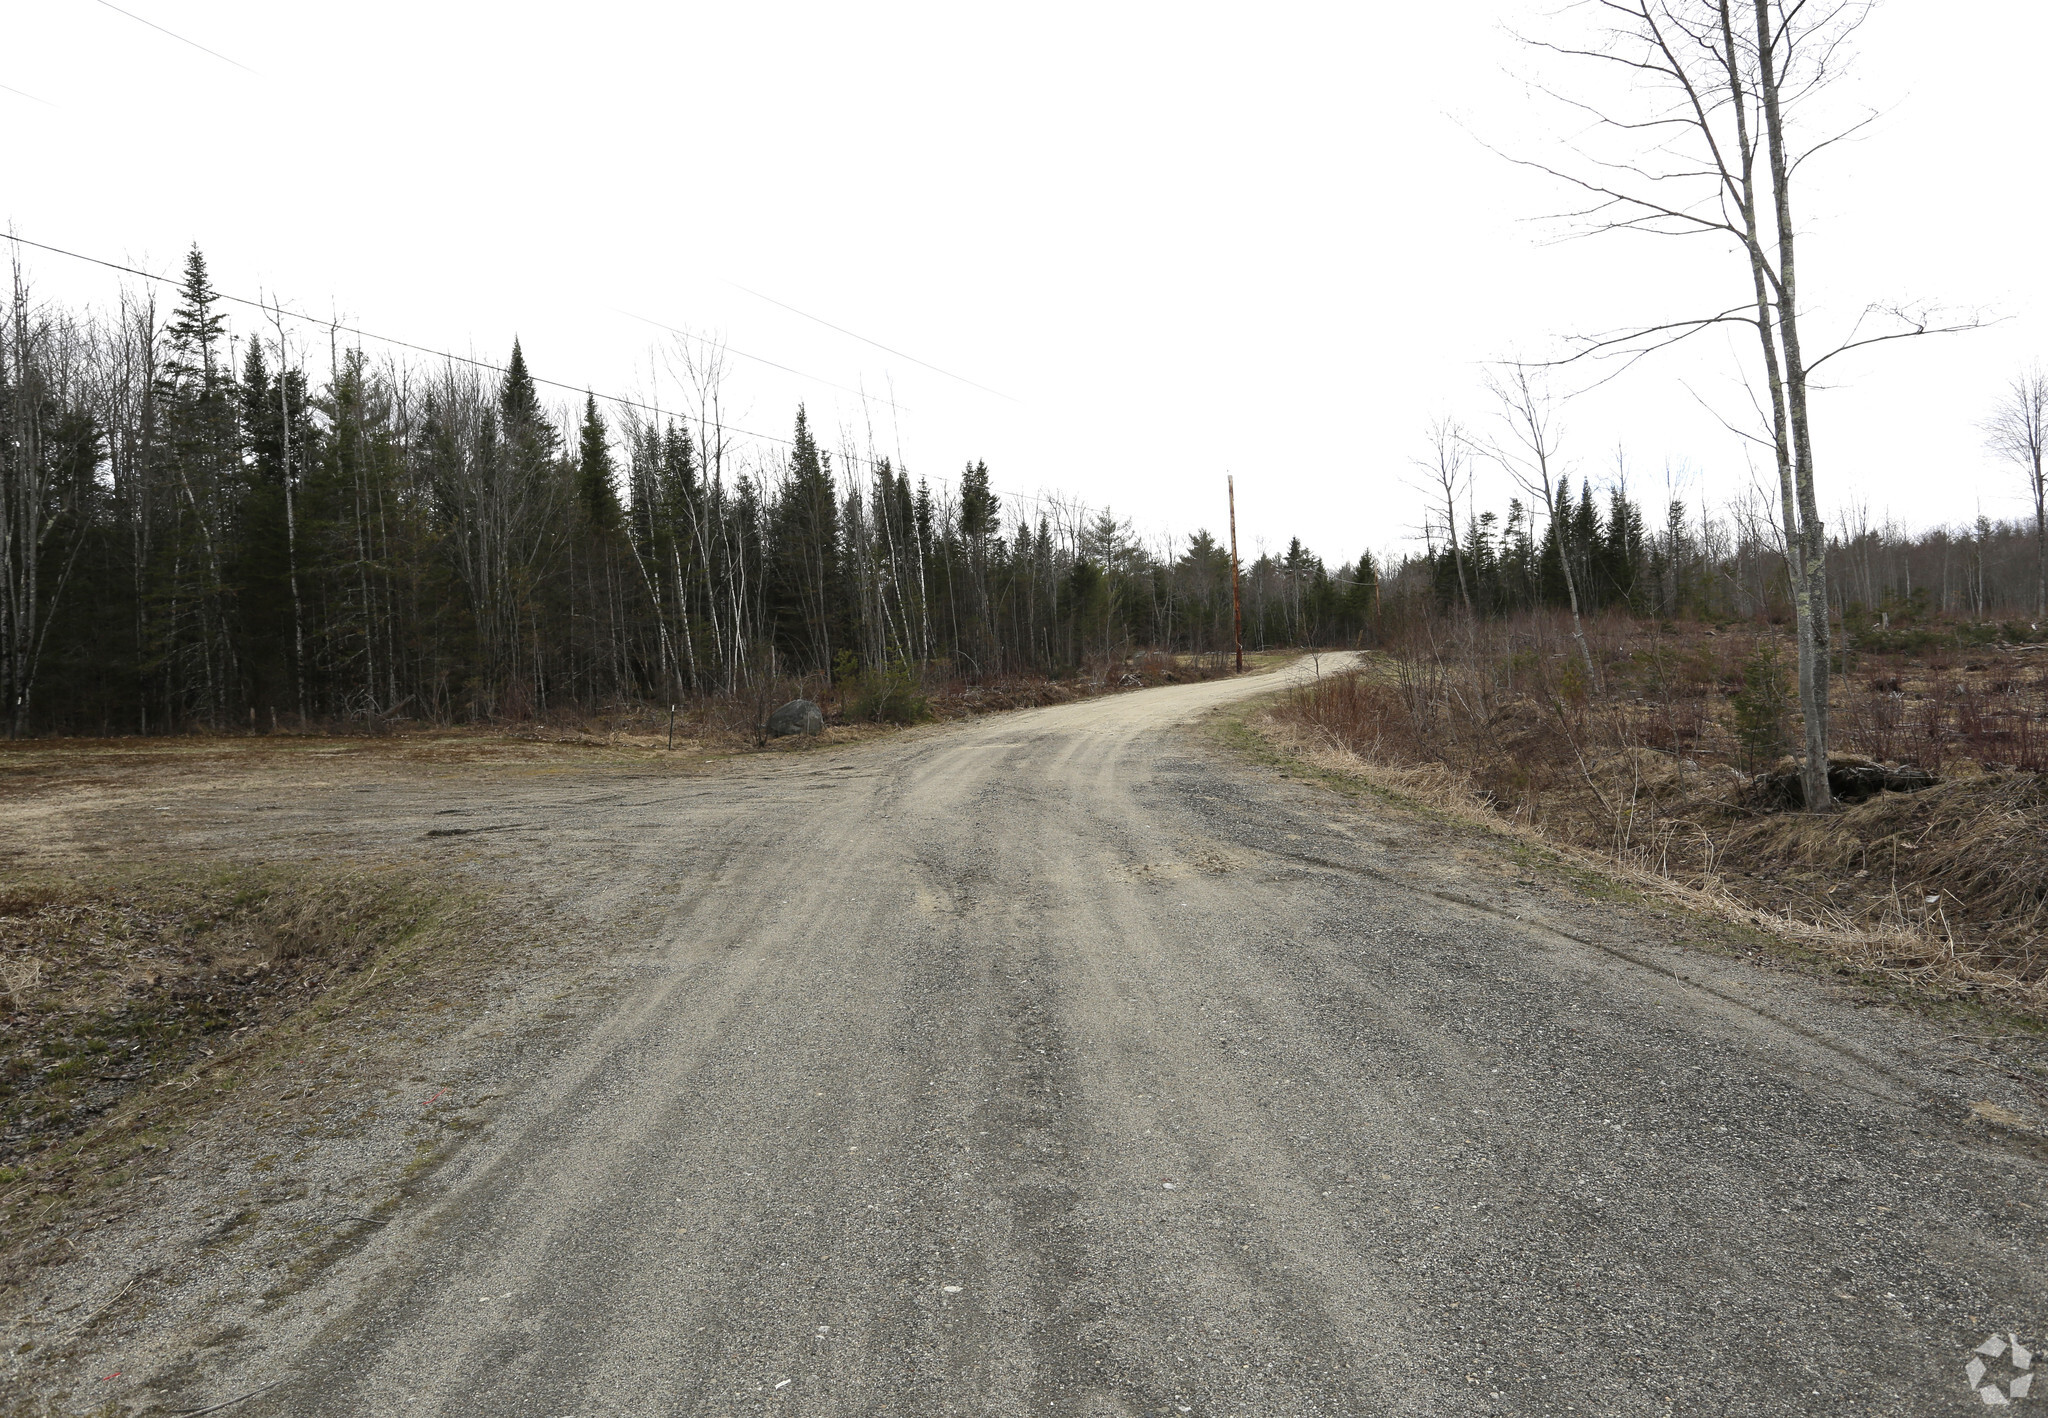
(200, 532)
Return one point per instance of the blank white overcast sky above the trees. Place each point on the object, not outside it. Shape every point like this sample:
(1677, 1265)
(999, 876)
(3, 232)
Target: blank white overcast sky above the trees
(1166, 243)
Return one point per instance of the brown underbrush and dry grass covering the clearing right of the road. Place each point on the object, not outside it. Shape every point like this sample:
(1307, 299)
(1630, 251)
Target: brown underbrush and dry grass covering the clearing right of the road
(1670, 761)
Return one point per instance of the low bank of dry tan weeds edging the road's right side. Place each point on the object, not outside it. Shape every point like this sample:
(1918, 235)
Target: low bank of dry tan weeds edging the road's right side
(1943, 890)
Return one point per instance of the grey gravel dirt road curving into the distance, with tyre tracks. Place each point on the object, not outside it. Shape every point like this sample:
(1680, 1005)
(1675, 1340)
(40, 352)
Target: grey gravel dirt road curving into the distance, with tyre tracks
(1066, 1062)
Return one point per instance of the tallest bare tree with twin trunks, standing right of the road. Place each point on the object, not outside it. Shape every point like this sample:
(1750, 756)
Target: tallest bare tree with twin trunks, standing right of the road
(1707, 140)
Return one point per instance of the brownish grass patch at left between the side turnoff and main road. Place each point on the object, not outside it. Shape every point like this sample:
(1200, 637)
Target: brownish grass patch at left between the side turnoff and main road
(140, 999)
